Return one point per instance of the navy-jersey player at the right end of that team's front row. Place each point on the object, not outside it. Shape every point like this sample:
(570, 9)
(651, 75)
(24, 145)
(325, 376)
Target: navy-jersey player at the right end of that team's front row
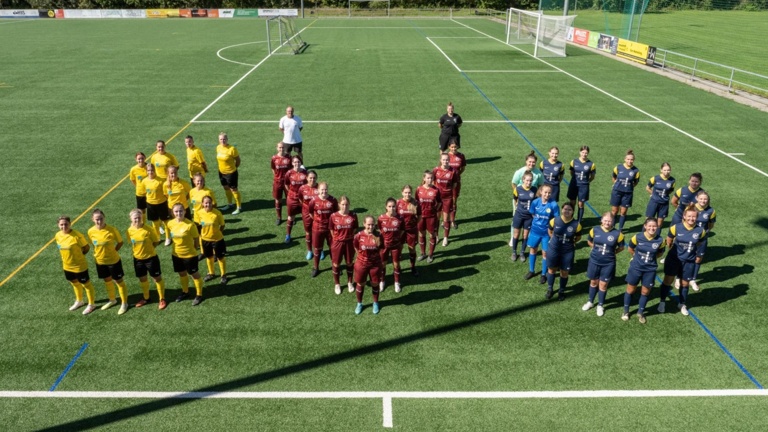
(683, 242)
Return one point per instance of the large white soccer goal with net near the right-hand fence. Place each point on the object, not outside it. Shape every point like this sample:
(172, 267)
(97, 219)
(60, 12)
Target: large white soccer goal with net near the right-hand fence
(547, 33)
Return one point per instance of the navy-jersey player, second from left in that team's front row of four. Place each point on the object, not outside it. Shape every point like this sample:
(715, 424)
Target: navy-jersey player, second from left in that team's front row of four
(606, 242)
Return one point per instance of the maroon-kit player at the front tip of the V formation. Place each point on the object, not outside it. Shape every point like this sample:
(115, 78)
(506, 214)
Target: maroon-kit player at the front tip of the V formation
(367, 244)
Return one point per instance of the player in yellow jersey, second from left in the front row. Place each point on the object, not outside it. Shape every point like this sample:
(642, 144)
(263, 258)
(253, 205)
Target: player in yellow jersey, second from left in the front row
(107, 242)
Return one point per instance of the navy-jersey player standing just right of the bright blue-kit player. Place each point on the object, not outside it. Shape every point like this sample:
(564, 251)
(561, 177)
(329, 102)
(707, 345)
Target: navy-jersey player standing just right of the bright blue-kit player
(564, 232)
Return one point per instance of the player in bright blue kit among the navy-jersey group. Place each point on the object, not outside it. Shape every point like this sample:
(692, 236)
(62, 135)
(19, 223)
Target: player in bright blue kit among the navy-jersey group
(543, 210)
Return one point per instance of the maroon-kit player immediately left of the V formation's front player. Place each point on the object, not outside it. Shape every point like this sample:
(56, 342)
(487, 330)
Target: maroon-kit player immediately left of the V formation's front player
(343, 225)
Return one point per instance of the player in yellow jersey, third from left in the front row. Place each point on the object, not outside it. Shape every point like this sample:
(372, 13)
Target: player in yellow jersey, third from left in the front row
(145, 260)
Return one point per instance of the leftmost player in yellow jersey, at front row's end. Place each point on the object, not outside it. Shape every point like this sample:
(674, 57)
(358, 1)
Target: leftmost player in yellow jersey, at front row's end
(73, 246)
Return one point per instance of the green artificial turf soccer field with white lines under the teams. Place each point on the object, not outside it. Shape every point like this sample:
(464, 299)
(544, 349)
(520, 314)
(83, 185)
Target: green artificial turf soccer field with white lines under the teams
(469, 344)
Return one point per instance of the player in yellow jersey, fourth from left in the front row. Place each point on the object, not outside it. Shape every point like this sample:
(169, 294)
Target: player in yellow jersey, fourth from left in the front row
(185, 239)
